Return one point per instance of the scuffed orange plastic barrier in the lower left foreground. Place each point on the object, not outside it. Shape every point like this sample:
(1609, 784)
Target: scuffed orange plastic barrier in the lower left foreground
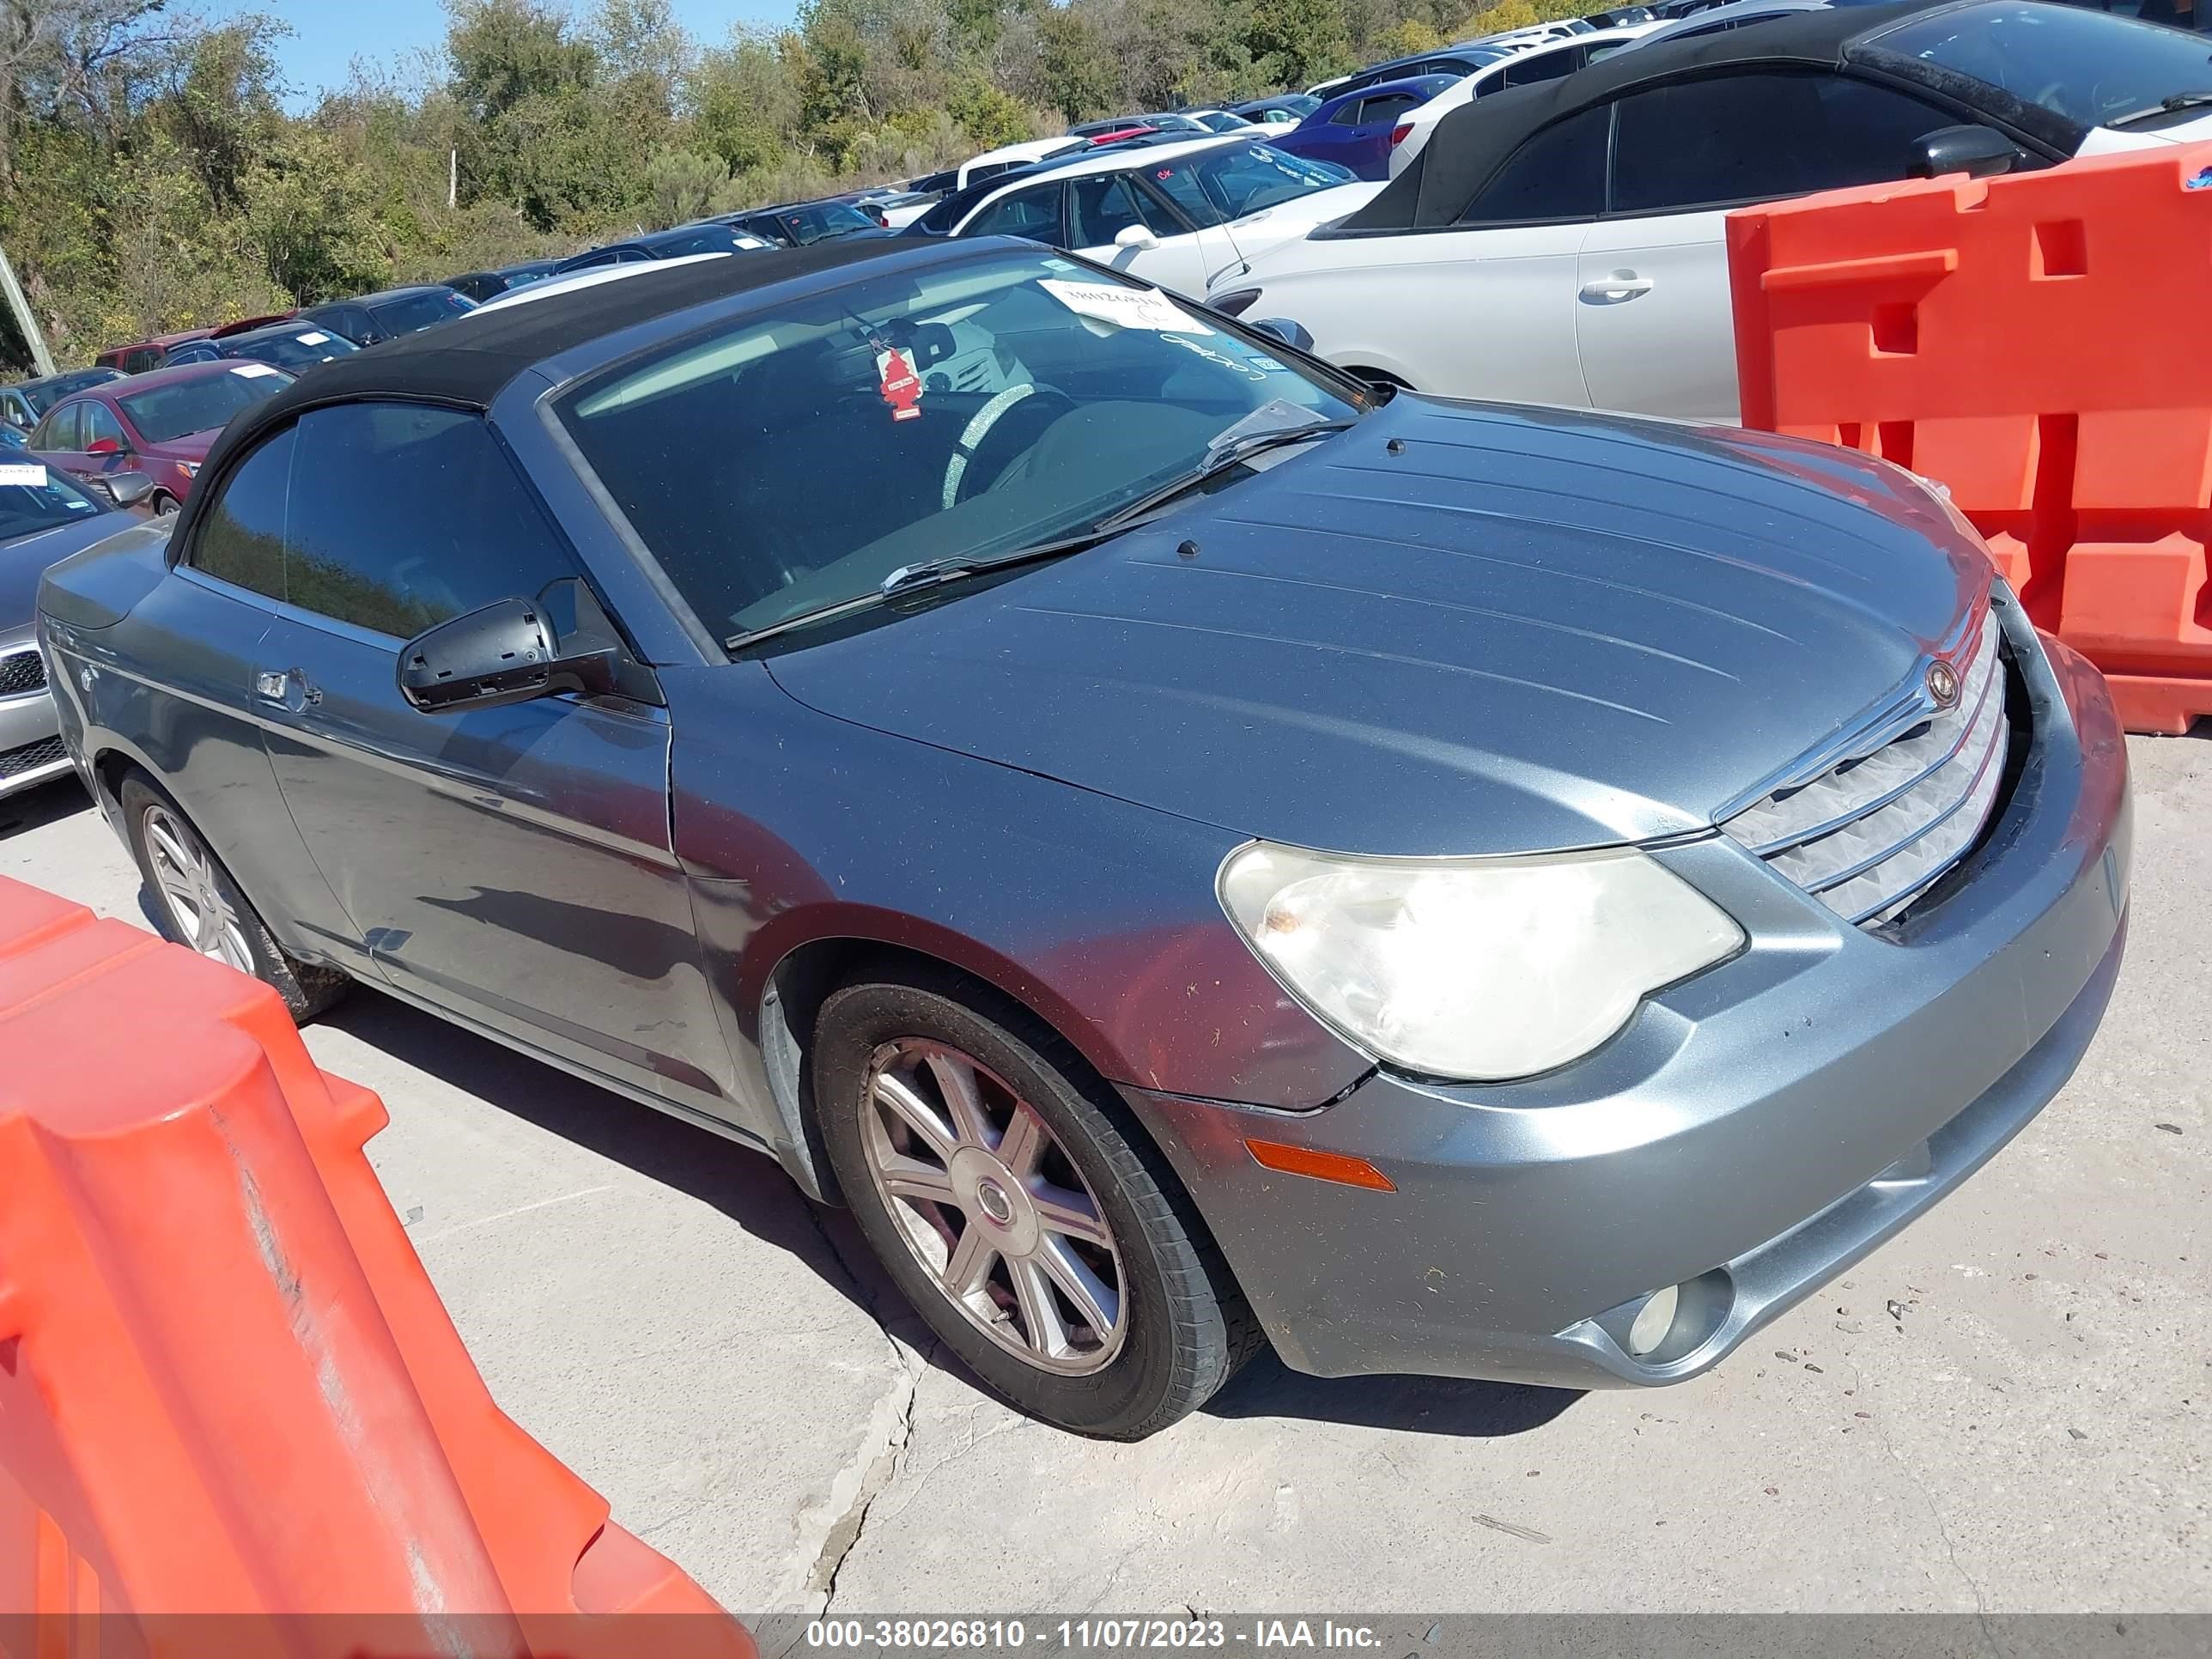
(227, 1384)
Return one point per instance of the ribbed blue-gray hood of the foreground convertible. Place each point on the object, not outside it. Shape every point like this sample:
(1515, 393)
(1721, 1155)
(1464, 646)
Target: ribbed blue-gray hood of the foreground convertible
(1521, 629)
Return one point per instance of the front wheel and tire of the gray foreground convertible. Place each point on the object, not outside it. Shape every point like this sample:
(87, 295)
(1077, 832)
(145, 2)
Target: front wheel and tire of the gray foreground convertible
(1050, 1249)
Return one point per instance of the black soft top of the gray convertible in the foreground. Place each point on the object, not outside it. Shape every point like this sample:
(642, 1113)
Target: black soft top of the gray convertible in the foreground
(470, 359)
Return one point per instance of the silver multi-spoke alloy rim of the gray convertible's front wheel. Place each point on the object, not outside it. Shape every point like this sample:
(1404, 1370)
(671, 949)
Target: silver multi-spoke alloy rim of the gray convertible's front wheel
(992, 1207)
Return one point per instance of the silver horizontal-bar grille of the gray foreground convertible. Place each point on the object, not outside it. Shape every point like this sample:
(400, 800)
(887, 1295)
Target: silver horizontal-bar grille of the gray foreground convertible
(1875, 831)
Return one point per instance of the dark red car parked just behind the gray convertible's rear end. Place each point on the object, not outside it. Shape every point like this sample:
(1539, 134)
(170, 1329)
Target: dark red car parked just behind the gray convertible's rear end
(158, 424)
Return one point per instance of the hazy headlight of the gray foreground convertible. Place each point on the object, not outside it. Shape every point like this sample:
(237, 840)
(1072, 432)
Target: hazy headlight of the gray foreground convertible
(1472, 968)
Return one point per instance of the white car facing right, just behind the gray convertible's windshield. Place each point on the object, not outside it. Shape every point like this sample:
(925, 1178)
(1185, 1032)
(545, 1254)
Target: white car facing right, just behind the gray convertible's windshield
(1178, 216)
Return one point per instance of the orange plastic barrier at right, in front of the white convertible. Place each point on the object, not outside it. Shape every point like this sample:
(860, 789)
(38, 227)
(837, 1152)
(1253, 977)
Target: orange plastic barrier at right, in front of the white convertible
(2043, 346)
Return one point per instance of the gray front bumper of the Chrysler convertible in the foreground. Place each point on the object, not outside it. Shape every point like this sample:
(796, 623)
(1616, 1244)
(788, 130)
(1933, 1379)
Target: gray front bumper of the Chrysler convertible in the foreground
(1751, 1136)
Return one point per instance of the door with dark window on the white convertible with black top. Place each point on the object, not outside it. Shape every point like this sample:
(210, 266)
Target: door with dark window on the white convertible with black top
(1653, 313)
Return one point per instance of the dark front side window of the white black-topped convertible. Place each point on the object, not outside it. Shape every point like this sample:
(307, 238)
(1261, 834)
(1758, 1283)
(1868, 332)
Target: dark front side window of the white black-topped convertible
(1682, 147)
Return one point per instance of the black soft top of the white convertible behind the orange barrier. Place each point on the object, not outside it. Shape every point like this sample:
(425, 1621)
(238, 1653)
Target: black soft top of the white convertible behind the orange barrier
(1470, 145)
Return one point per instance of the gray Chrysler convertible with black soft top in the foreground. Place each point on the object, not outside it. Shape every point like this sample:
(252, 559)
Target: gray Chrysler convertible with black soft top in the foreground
(1191, 851)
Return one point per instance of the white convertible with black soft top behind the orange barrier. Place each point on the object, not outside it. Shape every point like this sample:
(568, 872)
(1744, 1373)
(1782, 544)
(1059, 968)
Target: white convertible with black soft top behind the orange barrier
(1567, 244)
